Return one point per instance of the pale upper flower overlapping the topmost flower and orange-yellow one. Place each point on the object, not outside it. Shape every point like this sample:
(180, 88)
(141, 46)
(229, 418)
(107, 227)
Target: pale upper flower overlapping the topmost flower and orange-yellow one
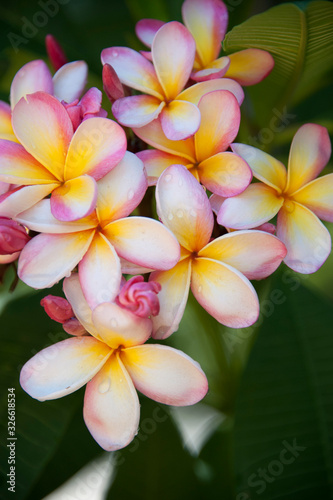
(173, 55)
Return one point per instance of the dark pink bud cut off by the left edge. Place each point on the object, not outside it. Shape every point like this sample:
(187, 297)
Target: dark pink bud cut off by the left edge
(13, 236)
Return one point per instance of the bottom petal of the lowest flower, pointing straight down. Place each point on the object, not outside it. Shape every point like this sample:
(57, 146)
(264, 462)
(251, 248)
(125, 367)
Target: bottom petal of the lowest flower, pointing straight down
(111, 407)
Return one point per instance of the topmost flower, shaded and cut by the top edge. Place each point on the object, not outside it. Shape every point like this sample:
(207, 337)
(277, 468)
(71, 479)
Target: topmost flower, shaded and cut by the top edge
(207, 20)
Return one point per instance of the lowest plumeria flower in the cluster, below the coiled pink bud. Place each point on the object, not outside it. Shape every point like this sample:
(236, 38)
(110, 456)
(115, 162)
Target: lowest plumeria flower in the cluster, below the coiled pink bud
(113, 362)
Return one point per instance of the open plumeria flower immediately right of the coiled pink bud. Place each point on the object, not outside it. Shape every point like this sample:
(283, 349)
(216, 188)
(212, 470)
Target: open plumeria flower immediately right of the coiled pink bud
(217, 271)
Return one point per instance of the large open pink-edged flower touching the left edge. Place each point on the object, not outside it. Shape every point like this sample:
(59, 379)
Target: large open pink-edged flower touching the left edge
(52, 159)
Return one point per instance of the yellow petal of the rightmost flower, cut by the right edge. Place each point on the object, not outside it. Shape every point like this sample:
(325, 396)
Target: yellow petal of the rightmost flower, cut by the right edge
(317, 196)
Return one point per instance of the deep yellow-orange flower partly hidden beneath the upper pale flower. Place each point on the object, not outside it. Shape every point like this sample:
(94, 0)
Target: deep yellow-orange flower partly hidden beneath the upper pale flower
(204, 154)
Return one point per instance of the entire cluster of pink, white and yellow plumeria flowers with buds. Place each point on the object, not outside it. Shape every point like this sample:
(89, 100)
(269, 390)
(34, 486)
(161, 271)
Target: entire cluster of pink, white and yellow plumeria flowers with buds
(72, 199)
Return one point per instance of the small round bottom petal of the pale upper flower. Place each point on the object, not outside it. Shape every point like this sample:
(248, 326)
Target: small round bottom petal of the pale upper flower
(180, 120)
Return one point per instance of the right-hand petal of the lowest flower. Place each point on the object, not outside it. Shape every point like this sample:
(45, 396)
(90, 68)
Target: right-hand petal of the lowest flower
(165, 374)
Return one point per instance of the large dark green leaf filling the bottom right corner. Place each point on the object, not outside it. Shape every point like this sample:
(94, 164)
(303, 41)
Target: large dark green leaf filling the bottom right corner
(283, 422)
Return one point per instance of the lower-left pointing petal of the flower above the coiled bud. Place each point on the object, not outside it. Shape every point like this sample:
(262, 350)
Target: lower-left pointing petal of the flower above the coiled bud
(48, 258)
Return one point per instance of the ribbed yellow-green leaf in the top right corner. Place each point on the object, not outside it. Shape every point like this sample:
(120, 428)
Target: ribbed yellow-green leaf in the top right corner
(301, 44)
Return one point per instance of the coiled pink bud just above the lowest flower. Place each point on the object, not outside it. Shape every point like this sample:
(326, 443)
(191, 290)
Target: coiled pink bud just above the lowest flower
(140, 297)
